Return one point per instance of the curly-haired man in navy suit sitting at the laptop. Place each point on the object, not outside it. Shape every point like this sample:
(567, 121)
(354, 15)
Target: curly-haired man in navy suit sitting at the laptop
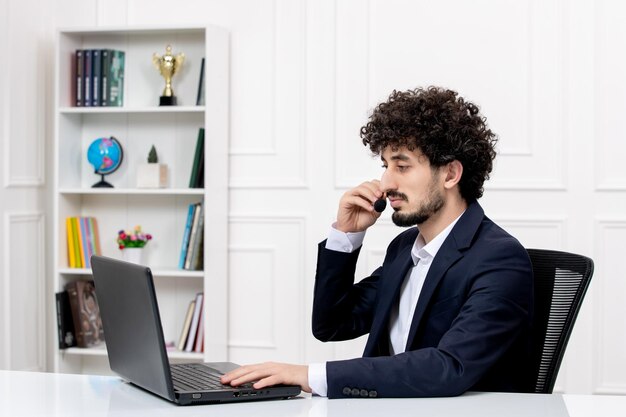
(451, 306)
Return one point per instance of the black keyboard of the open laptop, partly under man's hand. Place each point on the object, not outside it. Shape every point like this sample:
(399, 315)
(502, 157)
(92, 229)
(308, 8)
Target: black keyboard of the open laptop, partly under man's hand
(198, 377)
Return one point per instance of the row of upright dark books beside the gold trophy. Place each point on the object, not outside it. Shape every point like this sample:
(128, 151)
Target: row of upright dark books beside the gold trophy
(99, 75)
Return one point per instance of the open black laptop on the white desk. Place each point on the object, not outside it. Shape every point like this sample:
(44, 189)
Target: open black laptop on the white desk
(136, 346)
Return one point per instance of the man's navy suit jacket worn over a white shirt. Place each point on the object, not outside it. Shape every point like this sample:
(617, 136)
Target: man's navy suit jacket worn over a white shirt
(471, 328)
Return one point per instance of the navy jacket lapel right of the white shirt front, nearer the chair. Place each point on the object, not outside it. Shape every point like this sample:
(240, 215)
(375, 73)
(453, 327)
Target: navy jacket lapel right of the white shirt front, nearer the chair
(450, 252)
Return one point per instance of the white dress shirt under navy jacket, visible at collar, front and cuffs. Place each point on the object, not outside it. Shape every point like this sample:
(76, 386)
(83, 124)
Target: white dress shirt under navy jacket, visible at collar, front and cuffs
(402, 313)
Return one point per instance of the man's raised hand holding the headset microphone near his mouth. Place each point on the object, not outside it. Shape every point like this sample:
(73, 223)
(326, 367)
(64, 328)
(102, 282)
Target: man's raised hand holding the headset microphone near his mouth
(356, 208)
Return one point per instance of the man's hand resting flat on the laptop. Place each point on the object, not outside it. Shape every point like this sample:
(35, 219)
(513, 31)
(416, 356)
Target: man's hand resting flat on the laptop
(269, 373)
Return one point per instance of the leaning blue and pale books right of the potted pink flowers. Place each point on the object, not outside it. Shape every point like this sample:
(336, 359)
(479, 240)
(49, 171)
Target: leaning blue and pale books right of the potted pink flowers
(192, 248)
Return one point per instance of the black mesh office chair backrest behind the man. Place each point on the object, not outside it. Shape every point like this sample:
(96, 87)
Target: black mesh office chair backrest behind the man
(561, 280)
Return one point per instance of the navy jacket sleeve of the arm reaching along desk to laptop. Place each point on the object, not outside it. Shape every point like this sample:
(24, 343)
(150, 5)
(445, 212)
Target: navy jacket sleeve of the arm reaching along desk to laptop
(496, 310)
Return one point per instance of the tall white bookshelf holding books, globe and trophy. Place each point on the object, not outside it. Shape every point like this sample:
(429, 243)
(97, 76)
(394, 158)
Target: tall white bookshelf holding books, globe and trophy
(138, 125)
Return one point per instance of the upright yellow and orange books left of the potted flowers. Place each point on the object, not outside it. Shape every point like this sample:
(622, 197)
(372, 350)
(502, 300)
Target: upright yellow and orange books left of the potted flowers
(83, 240)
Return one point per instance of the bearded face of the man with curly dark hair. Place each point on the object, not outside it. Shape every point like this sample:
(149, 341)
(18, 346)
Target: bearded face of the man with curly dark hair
(412, 186)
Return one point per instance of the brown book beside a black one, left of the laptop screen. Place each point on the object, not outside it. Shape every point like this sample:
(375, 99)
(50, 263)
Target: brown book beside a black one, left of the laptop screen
(85, 313)
